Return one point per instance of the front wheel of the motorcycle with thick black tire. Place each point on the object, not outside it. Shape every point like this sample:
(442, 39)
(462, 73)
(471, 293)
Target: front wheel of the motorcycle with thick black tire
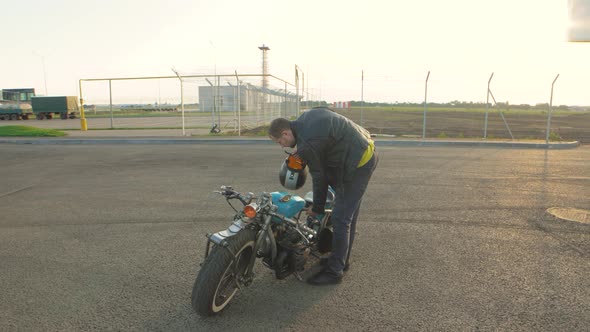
(216, 283)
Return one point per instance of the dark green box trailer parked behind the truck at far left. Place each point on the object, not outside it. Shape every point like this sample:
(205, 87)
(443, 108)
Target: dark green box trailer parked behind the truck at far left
(66, 107)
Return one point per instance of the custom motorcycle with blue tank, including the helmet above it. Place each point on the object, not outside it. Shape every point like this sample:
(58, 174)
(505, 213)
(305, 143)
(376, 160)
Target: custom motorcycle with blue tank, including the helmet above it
(268, 227)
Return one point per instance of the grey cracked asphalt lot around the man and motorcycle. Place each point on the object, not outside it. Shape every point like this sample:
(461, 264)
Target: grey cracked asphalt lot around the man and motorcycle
(110, 237)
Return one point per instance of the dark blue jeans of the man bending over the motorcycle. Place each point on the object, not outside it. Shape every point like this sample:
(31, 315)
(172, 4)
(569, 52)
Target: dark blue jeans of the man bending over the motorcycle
(345, 213)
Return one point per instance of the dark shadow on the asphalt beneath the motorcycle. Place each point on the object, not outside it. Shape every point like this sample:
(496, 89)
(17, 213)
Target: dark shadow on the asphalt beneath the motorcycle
(268, 304)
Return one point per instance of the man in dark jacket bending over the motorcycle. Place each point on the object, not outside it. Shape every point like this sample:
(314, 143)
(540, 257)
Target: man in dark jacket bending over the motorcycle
(341, 154)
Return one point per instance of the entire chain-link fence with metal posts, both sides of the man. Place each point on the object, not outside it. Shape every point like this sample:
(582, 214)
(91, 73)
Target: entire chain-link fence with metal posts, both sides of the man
(238, 103)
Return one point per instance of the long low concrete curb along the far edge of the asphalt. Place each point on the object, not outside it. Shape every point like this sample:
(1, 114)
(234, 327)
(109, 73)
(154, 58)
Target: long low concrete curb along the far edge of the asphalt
(223, 141)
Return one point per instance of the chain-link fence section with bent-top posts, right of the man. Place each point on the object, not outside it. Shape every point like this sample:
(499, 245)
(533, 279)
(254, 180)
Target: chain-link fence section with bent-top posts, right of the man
(382, 110)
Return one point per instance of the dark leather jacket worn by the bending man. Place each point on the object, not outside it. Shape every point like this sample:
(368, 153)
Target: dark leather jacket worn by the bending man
(332, 146)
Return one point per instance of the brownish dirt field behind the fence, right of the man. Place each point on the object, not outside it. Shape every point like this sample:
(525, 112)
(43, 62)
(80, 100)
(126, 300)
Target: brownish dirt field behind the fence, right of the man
(471, 124)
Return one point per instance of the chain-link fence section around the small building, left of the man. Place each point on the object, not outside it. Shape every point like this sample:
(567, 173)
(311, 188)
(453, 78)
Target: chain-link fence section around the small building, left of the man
(233, 102)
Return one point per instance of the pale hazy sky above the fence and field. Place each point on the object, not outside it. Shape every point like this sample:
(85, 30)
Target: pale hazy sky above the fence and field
(374, 50)
